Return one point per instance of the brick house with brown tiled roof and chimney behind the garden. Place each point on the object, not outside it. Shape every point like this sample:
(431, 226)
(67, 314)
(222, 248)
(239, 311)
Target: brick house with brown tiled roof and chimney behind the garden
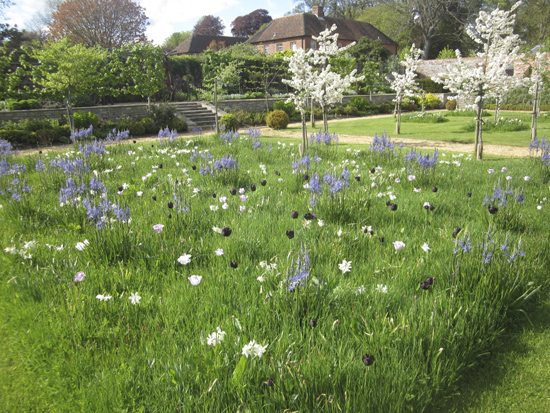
(297, 31)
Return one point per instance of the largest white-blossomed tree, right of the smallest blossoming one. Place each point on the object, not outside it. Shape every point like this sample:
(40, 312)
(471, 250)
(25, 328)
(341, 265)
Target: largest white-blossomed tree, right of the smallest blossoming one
(499, 48)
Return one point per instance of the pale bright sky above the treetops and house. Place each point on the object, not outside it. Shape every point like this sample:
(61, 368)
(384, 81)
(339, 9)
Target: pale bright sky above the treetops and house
(168, 16)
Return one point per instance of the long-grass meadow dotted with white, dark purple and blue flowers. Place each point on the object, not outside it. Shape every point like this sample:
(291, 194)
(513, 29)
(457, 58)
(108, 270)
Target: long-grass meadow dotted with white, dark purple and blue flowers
(235, 273)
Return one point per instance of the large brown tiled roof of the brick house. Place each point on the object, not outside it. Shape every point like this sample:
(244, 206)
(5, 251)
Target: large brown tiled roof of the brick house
(306, 25)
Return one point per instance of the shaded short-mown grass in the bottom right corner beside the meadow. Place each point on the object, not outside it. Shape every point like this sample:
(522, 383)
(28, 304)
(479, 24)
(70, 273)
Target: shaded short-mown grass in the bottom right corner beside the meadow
(515, 376)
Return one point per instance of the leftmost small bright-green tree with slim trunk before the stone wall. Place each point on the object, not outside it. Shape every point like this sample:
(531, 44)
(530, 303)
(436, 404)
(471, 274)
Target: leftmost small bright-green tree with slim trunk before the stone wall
(65, 71)
